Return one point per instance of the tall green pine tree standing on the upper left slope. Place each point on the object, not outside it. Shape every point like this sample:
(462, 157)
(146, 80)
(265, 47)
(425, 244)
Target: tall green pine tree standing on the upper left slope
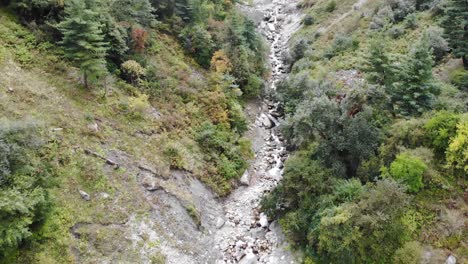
(83, 37)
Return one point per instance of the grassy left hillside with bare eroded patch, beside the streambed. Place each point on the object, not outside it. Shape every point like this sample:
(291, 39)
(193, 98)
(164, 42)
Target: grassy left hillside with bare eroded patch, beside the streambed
(119, 165)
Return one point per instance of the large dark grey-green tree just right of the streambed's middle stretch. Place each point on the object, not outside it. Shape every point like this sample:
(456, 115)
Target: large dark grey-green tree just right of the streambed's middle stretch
(342, 127)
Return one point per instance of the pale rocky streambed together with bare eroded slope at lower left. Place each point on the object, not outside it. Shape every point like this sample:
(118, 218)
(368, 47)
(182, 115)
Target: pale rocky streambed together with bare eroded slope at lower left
(180, 220)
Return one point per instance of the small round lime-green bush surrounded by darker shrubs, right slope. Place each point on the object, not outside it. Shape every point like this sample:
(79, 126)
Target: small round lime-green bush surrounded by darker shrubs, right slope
(409, 171)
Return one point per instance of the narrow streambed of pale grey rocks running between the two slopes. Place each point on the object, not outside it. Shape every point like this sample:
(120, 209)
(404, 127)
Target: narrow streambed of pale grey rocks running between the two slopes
(244, 234)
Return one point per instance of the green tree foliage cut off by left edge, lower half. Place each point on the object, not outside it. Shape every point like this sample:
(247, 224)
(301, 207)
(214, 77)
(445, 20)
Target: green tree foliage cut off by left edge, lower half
(24, 183)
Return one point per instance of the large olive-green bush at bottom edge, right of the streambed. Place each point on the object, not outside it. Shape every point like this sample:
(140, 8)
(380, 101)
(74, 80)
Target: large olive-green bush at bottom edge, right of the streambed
(350, 232)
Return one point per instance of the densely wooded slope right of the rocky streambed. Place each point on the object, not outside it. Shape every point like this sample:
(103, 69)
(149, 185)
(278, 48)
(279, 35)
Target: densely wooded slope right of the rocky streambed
(377, 118)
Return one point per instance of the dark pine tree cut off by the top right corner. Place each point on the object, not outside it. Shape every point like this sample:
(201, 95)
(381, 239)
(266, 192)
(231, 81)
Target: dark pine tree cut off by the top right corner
(455, 24)
